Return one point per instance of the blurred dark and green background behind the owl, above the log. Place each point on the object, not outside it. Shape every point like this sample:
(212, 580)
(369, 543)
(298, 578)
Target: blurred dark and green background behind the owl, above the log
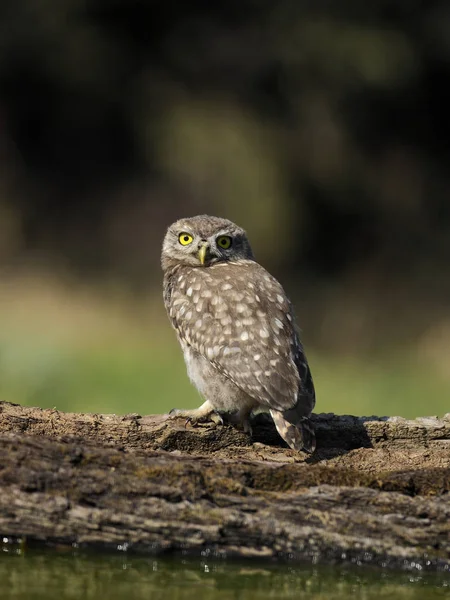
(320, 127)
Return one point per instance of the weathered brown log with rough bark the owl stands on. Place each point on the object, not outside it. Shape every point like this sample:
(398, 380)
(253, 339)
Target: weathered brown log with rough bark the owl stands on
(376, 491)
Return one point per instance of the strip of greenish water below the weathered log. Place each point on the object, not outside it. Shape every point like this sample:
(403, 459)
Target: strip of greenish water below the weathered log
(68, 575)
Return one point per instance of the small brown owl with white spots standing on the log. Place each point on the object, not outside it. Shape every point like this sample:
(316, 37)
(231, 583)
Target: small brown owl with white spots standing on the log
(237, 331)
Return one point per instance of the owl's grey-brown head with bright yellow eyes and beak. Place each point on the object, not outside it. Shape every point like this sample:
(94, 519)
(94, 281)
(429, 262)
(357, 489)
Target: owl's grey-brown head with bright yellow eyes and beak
(203, 241)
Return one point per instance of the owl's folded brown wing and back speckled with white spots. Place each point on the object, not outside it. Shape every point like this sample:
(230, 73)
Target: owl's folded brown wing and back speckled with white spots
(238, 317)
